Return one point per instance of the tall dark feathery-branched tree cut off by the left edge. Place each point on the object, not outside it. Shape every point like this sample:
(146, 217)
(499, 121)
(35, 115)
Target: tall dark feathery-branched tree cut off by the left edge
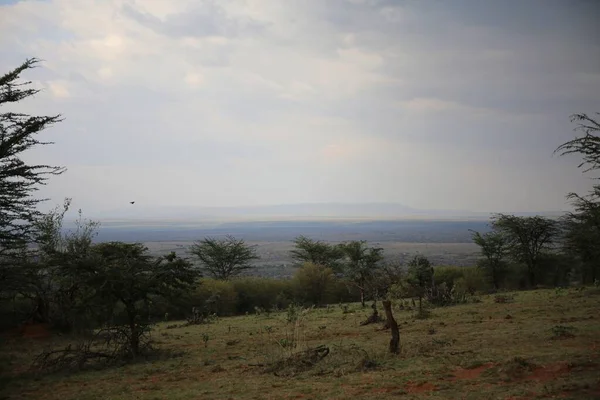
(18, 179)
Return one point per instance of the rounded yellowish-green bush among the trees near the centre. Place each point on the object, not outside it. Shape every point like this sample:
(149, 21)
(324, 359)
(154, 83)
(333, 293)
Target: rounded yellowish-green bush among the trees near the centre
(313, 283)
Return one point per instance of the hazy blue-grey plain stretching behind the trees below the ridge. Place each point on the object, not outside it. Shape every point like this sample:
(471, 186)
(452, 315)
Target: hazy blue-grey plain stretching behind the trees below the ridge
(444, 241)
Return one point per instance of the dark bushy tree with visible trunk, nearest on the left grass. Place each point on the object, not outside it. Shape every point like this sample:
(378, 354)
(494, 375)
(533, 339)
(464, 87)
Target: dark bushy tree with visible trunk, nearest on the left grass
(127, 276)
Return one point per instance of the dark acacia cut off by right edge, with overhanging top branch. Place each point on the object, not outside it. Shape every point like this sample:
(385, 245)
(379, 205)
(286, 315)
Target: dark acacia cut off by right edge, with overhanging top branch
(583, 226)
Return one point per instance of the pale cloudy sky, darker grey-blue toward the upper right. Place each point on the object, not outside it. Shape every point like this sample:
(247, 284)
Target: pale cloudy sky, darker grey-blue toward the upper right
(432, 104)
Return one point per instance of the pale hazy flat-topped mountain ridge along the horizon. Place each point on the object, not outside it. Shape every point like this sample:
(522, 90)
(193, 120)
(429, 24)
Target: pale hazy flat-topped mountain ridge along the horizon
(139, 211)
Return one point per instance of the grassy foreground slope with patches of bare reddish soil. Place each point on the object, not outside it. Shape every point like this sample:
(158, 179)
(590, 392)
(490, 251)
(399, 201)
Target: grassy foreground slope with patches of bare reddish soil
(543, 344)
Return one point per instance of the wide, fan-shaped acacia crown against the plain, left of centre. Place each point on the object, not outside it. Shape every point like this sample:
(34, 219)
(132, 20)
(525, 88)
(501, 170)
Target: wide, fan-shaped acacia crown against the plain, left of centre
(225, 258)
